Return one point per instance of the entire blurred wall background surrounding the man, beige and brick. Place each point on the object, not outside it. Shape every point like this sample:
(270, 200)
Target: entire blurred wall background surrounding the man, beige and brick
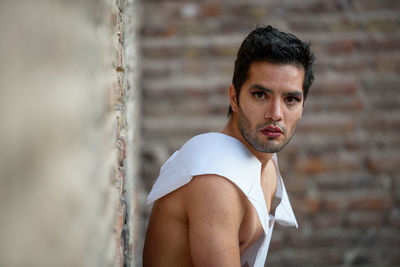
(95, 95)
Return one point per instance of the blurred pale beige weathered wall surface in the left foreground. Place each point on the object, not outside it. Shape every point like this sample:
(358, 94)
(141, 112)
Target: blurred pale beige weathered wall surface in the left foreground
(68, 120)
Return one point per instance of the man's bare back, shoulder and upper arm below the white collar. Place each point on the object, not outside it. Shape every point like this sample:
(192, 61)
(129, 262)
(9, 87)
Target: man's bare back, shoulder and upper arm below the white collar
(197, 223)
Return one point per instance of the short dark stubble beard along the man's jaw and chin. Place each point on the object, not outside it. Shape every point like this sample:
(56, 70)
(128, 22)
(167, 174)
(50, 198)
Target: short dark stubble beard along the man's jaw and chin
(253, 138)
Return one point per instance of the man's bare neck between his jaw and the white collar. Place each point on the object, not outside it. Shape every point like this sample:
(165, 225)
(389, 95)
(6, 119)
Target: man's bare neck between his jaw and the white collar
(232, 129)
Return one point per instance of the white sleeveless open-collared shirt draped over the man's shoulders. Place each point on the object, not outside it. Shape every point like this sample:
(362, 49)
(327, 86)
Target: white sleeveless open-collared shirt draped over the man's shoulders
(223, 155)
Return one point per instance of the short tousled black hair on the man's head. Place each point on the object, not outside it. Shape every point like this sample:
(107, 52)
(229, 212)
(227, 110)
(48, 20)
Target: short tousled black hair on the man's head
(271, 45)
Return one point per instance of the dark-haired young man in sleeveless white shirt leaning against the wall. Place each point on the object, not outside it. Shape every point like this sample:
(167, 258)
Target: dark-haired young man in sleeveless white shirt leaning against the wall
(217, 198)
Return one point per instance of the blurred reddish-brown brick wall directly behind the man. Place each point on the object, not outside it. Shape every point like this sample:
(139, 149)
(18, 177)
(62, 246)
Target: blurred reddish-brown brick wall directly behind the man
(342, 167)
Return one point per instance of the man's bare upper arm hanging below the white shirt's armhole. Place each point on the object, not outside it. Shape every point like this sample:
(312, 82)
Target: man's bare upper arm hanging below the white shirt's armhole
(215, 209)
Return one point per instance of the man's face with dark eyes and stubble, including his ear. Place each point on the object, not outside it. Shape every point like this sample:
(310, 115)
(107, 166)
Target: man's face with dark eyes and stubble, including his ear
(270, 105)
